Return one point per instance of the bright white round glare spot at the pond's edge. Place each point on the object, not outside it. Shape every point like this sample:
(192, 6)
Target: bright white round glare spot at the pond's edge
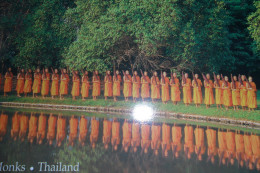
(142, 112)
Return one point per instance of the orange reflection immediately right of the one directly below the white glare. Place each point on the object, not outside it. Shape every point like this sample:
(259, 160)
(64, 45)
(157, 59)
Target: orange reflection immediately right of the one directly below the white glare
(156, 138)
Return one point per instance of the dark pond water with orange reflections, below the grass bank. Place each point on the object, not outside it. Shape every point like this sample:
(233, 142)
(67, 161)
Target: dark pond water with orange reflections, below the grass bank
(92, 143)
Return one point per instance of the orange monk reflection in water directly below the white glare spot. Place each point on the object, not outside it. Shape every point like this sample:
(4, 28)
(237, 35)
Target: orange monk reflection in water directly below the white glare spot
(145, 142)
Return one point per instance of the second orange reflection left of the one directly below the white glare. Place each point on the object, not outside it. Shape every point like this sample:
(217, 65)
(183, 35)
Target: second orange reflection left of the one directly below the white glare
(127, 135)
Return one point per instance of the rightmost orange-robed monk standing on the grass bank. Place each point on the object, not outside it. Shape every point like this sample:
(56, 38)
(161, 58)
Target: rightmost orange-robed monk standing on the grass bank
(251, 94)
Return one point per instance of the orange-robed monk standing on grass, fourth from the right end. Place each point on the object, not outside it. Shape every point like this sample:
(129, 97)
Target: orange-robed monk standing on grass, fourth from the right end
(227, 95)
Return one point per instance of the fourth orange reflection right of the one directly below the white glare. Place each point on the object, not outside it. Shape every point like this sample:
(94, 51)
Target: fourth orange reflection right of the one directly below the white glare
(188, 141)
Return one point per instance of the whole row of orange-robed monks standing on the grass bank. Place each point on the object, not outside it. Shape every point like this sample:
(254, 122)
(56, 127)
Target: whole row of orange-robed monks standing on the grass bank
(236, 93)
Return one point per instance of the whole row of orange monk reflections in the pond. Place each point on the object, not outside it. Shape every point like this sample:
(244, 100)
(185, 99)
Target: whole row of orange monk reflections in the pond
(228, 145)
